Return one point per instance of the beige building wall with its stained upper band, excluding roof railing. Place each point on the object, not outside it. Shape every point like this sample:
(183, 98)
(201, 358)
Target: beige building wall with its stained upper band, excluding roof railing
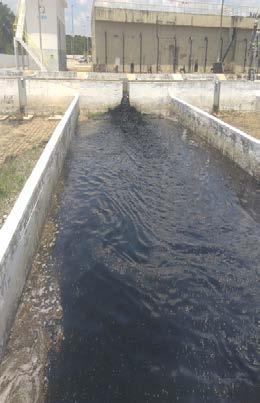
(116, 40)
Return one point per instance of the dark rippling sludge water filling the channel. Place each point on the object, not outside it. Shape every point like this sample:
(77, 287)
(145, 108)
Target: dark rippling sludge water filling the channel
(158, 259)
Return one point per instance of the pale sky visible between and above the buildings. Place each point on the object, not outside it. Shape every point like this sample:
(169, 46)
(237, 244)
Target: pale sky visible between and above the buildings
(82, 12)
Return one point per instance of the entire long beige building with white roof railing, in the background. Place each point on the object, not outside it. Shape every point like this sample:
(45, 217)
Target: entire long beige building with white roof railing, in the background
(170, 36)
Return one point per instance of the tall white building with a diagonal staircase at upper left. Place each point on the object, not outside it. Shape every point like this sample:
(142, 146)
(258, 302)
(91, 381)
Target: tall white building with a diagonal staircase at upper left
(40, 39)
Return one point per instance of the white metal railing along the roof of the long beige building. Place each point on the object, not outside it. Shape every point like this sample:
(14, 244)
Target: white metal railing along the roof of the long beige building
(186, 7)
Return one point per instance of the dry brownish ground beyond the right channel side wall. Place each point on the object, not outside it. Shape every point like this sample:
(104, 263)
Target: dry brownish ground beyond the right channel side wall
(248, 122)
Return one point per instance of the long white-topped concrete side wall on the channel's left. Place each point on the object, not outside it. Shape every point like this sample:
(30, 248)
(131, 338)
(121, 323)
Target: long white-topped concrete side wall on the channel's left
(20, 235)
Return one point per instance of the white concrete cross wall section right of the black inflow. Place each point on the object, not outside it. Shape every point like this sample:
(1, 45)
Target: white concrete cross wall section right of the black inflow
(154, 97)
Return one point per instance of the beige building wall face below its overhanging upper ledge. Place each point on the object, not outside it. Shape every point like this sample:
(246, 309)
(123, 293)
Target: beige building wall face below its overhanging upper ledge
(132, 52)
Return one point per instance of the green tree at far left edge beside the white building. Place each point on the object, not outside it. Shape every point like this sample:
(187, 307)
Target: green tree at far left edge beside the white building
(7, 19)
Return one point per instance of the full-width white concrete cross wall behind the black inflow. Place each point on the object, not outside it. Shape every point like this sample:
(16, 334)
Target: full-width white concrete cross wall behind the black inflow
(99, 93)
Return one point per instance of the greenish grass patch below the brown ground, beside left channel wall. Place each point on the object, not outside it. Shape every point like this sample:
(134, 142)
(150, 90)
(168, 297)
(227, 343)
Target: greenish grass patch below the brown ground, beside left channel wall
(13, 175)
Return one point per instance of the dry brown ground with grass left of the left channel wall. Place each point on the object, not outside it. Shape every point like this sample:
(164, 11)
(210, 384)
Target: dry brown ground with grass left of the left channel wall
(21, 144)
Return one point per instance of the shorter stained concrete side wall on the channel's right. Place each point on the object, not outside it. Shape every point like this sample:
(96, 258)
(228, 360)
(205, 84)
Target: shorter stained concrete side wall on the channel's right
(241, 148)
